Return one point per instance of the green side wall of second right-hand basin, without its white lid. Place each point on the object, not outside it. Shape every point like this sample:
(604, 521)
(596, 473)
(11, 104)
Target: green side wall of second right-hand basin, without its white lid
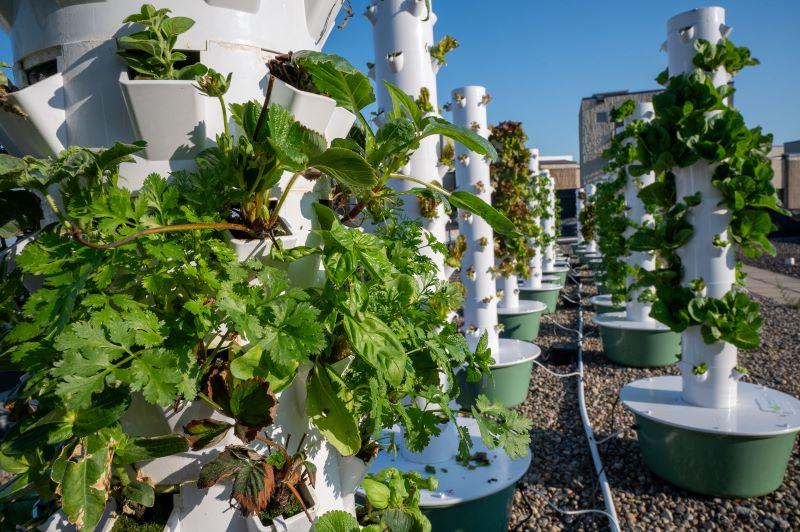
(640, 349)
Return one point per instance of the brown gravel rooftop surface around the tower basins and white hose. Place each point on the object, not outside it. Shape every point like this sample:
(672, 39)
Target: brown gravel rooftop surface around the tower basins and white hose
(562, 467)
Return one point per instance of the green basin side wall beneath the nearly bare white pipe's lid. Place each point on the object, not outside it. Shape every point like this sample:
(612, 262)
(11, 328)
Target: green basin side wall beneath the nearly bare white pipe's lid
(509, 386)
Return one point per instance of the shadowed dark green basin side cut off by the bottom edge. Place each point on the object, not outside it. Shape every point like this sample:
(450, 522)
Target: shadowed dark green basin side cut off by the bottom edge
(489, 514)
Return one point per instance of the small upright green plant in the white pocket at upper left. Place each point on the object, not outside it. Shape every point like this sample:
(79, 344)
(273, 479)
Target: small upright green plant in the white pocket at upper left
(151, 52)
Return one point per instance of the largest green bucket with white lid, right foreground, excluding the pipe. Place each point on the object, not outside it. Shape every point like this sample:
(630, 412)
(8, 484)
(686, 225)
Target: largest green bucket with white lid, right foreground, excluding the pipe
(738, 452)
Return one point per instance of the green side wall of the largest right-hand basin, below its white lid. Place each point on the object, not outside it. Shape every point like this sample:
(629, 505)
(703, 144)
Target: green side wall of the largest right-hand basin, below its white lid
(713, 464)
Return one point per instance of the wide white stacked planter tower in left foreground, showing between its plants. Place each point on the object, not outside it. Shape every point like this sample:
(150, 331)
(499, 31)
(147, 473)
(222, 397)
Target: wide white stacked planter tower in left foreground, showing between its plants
(92, 102)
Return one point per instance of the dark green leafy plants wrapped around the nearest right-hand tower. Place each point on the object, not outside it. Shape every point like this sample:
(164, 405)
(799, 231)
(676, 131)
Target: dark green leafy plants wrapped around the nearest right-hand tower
(694, 123)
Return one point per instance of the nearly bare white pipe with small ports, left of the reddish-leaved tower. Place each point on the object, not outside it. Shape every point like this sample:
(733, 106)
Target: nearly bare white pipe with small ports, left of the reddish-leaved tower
(472, 175)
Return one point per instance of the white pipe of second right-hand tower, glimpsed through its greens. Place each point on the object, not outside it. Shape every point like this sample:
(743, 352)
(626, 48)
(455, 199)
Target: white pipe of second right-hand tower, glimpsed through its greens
(636, 310)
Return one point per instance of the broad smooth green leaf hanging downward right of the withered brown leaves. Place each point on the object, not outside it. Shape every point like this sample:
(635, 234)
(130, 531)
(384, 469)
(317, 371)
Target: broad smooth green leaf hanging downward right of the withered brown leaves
(328, 408)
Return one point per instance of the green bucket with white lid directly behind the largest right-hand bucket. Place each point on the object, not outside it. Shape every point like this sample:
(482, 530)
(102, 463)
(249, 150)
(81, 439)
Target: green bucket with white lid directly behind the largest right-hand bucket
(637, 344)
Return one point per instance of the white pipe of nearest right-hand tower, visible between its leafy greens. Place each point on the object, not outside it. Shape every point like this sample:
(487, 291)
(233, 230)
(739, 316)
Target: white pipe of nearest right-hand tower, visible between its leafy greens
(700, 257)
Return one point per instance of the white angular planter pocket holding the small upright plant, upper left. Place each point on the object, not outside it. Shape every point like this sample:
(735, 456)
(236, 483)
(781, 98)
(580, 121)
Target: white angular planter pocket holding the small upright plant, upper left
(170, 116)
